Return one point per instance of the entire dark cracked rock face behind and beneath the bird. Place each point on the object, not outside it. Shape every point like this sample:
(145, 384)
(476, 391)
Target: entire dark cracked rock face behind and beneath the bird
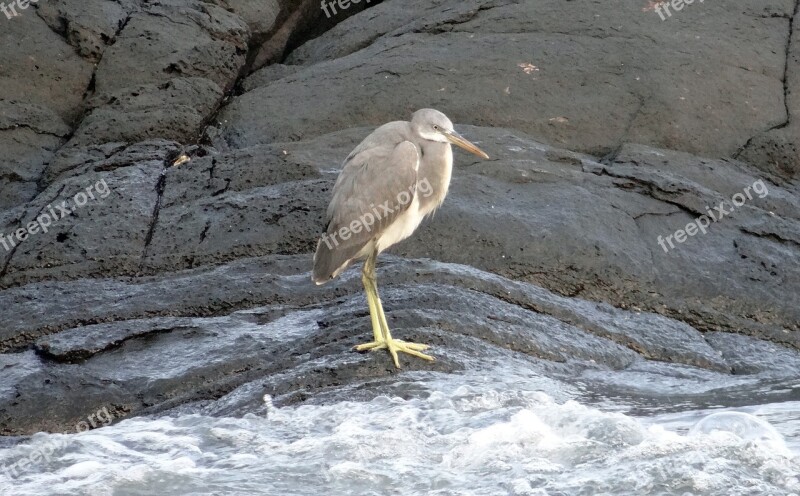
(177, 283)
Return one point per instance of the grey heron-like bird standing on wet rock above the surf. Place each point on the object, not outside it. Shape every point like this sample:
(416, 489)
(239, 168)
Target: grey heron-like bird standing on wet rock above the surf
(389, 183)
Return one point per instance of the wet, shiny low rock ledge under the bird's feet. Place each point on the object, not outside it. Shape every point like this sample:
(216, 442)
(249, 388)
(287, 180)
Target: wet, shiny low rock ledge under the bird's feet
(467, 315)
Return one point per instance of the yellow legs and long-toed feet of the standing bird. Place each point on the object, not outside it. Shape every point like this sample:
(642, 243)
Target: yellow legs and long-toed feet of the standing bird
(380, 328)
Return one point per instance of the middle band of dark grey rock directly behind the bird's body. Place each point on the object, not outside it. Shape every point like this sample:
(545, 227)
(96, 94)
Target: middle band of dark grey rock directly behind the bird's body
(270, 200)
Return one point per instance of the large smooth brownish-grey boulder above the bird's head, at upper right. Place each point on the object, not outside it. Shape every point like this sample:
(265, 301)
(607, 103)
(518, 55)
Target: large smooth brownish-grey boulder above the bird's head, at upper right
(520, 65)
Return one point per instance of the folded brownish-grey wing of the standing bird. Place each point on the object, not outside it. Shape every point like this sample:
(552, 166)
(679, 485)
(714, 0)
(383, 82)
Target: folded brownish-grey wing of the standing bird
(375, 186)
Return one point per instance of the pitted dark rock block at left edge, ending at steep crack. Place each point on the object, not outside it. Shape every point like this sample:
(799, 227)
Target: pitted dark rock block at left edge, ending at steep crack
(107, 233)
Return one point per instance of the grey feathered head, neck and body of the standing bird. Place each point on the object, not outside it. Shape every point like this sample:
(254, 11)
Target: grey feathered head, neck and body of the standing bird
(388, 162)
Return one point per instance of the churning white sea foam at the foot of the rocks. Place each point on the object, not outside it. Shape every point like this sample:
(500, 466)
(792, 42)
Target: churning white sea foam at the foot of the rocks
(502, 431)
